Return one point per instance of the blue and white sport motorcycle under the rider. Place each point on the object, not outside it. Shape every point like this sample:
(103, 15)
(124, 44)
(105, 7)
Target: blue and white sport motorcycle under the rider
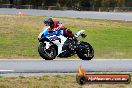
(54, 44)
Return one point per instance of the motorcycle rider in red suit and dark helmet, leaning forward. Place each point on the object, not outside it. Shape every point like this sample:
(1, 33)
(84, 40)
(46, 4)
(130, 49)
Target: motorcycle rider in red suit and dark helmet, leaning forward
(56, 25)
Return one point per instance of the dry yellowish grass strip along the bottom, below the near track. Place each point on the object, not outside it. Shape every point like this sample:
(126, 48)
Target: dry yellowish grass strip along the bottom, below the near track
(52, 81)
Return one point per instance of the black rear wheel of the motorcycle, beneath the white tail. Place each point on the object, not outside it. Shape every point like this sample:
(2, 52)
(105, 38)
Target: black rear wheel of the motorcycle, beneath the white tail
(86, 51)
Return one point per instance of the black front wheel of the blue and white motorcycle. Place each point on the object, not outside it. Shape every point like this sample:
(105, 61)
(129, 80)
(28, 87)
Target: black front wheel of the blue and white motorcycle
(44, 52)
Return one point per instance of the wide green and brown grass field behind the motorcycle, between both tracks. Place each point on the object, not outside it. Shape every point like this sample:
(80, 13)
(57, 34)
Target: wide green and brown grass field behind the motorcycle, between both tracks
(110, 39)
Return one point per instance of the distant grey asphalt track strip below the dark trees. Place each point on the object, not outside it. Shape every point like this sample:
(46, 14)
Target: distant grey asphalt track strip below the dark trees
(73, 14)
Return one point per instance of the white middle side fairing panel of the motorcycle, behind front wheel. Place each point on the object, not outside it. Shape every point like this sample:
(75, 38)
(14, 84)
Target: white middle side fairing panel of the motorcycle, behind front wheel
(60, 44)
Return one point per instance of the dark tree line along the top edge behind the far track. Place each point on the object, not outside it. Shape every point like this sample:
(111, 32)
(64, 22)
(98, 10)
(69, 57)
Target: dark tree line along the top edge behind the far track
(70, 3)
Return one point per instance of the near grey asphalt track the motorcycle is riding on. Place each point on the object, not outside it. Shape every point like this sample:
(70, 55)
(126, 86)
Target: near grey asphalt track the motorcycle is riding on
(64, 66)
